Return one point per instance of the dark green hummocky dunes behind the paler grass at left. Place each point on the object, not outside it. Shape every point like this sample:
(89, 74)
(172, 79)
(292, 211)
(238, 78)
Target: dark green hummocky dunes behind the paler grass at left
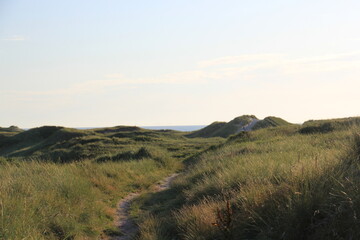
(65, 145)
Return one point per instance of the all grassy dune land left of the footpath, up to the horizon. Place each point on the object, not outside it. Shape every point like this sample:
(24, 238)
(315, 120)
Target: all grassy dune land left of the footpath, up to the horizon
(60, 183)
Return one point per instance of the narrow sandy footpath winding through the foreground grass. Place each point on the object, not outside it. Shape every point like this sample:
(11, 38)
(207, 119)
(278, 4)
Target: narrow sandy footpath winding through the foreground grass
(126, 225)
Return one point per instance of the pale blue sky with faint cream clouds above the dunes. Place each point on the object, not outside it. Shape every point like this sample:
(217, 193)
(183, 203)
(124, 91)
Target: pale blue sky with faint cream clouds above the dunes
(97, 63)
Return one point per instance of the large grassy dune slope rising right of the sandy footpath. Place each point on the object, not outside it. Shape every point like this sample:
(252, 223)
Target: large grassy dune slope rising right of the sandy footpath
(276, 183)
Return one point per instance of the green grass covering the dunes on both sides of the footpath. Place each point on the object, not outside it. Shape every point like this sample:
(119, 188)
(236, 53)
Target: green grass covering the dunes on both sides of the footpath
(277, 182)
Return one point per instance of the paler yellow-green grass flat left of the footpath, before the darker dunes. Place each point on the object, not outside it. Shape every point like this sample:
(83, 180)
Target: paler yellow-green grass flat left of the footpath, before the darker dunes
(70, 201)
